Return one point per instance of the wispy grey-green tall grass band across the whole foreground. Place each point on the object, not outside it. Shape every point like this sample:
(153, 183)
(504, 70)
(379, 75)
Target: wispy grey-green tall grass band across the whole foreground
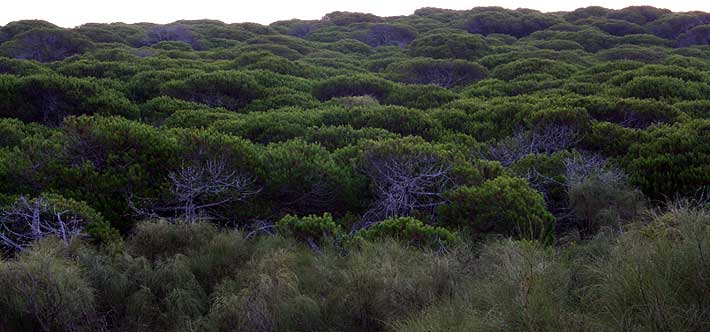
(651, 276)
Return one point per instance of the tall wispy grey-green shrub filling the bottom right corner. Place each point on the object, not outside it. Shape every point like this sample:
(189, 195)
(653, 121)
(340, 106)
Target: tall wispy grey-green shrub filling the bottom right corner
(665, 261)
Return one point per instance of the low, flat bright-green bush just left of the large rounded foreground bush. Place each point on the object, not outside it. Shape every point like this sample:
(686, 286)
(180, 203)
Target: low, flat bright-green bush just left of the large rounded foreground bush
(411, 231)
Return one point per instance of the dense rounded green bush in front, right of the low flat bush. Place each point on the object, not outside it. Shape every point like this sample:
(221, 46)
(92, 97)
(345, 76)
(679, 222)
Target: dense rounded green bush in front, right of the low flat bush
(504, 205)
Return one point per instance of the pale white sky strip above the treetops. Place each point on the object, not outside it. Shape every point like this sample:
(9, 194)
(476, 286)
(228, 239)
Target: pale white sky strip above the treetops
(70, 13)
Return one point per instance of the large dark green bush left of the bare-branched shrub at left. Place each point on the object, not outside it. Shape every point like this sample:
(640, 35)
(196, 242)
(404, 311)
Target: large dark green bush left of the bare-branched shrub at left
(108, 157)
